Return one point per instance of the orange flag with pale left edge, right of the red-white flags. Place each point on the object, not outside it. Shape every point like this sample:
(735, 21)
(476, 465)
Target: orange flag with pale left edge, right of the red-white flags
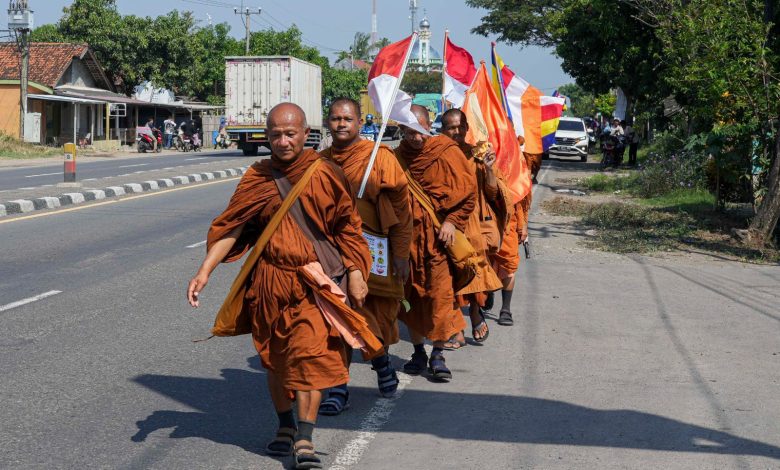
(489, 123)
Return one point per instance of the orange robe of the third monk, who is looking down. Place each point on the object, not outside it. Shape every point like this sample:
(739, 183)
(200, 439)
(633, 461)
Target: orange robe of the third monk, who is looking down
(443, 172)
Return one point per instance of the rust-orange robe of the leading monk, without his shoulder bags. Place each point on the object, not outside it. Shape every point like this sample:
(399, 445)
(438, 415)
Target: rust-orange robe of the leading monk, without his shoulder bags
(291, 335)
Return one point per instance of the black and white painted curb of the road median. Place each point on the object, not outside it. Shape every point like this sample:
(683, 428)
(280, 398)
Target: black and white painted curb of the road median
(23, 206)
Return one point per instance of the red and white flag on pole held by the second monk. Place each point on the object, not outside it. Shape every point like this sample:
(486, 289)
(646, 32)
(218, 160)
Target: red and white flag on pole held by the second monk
(384, 80)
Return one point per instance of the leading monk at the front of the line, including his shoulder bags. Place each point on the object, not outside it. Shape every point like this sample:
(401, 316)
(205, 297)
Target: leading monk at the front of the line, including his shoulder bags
(286, 294)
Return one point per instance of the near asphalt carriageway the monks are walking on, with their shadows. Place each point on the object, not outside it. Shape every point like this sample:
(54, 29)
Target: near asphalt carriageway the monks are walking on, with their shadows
(614, 362)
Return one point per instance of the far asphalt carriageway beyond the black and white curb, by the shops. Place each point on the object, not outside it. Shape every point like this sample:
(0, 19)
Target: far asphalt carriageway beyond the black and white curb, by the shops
(16, 178)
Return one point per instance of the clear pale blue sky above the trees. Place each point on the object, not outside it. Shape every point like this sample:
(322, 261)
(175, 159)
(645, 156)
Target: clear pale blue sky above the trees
(331, 24)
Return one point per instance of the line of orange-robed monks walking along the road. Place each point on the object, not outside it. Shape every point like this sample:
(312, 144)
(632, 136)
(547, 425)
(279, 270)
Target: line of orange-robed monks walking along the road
(433, 235)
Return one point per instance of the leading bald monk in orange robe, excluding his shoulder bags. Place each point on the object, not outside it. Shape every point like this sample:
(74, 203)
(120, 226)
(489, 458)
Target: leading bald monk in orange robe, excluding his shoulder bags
(302, 351)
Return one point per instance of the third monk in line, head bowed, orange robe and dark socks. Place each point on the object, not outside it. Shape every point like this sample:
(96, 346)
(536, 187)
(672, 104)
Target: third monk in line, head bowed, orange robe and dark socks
(443, 172)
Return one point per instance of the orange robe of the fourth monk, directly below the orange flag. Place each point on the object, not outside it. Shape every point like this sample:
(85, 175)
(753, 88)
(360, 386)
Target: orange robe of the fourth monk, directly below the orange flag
(485, 279)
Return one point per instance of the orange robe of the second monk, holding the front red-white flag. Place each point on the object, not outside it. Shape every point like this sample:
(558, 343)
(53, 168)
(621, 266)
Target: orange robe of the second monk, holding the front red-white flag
(388, 191)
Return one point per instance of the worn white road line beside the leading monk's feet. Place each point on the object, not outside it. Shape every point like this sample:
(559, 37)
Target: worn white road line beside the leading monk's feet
(377, 417)
